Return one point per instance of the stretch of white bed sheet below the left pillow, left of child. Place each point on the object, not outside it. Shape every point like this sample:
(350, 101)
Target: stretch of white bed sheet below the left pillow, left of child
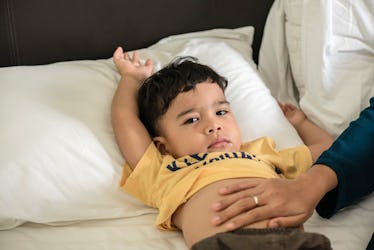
(124, 233)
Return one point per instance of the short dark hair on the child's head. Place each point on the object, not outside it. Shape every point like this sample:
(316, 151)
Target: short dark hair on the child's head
(160, 89)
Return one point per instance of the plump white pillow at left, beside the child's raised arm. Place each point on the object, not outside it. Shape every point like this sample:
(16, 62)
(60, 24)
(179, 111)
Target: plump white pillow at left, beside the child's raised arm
(58, 158)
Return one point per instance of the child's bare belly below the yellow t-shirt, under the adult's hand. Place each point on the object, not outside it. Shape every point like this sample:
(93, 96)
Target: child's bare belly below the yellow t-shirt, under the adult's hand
(194, 217)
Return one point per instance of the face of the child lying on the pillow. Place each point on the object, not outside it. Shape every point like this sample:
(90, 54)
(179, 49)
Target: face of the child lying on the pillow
(197, 121)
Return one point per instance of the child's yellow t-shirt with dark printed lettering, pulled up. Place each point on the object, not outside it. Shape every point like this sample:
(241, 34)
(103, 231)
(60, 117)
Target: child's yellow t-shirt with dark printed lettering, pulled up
(165, 183)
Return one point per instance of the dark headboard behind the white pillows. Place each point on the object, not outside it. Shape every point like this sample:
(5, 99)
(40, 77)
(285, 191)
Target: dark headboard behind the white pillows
(45, 31)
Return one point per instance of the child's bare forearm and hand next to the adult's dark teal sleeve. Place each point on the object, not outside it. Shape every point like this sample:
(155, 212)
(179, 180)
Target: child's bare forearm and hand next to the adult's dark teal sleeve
(317, 139)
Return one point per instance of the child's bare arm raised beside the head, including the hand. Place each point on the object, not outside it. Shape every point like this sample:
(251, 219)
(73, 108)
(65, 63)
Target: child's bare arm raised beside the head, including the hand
(131, 135)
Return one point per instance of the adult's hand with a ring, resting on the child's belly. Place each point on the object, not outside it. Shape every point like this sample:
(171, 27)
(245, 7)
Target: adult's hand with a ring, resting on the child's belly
(287, 203)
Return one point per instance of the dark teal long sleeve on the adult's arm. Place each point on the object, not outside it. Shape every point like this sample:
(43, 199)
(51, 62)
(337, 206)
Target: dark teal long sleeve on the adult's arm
(351, 157)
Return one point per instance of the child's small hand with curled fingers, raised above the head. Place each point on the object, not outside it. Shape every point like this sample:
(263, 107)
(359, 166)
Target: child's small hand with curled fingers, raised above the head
(132, 67)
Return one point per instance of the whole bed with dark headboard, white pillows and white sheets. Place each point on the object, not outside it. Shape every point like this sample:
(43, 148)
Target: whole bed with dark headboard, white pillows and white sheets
(59, 163)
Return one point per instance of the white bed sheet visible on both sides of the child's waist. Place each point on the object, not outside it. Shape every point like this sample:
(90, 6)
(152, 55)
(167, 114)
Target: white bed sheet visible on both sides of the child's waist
(347, 231)
